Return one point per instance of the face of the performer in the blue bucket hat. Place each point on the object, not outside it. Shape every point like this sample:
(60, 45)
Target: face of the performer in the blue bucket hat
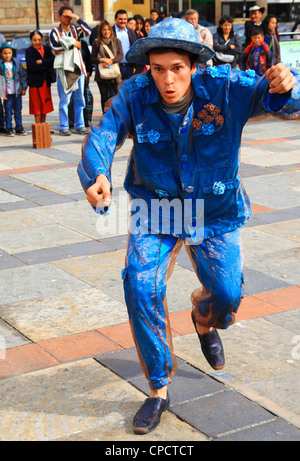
(172, 74)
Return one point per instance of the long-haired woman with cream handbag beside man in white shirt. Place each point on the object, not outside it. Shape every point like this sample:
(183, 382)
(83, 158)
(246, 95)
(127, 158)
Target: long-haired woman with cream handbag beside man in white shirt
(106, 39)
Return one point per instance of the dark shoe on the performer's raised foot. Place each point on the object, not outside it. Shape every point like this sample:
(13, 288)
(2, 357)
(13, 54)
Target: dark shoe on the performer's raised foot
(212, 348)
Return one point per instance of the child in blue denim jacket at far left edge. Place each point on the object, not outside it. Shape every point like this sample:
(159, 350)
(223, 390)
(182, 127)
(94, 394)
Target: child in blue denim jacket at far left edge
(16, 84)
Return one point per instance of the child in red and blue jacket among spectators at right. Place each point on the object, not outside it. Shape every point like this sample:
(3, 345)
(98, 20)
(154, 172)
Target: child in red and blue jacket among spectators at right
(257, 56)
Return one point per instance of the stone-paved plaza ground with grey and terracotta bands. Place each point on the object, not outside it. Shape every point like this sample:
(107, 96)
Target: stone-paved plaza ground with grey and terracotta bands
(68, 366)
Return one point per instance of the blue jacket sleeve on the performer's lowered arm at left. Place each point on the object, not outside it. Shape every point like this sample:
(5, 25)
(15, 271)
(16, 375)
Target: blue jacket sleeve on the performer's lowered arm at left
(104, 139)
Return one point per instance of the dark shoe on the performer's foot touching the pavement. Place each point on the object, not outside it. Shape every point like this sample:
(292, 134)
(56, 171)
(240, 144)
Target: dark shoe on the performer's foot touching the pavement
(148, 416)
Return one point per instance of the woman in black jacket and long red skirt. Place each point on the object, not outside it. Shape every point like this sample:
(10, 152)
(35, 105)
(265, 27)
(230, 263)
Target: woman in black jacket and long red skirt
(39, 61)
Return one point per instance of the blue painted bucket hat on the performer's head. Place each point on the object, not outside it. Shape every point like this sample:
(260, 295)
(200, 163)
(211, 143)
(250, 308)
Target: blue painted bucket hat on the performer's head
(169, 33)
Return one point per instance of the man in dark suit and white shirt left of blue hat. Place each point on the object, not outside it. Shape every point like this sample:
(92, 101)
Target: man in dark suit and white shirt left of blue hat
(127, 37)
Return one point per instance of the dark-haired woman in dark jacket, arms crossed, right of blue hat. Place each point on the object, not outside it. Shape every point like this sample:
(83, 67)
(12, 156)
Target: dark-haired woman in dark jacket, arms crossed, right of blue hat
(227, 44)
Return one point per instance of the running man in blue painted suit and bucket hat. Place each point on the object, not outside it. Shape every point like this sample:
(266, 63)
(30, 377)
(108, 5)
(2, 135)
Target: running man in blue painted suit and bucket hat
(186, 121)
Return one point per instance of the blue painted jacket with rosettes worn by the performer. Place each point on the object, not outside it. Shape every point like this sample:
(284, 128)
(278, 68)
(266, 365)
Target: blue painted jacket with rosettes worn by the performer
(195, 156)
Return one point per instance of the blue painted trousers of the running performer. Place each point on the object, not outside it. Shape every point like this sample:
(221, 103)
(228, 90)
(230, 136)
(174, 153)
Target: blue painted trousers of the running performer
(218, 263)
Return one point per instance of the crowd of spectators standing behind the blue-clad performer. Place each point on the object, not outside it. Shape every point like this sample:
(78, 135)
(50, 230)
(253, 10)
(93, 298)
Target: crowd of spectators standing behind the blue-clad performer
(69, 63)
